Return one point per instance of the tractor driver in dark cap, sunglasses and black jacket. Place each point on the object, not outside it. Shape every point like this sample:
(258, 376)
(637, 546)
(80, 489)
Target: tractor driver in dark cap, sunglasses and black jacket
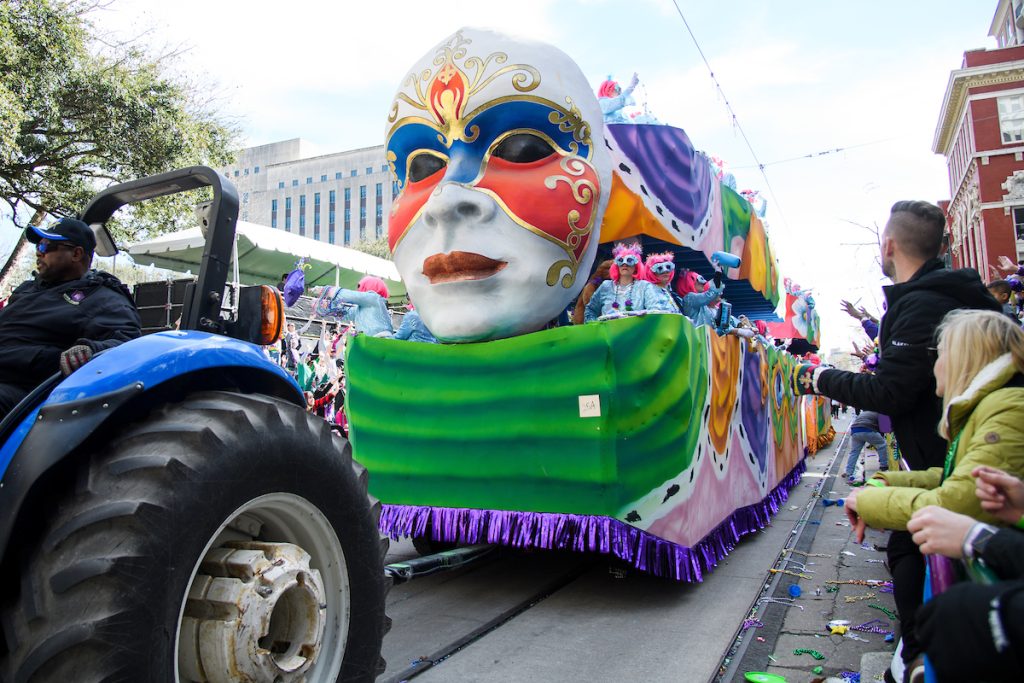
(60, 320)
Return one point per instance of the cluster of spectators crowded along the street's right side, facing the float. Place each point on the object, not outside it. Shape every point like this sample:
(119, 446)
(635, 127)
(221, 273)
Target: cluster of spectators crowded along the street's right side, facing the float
(945, 377)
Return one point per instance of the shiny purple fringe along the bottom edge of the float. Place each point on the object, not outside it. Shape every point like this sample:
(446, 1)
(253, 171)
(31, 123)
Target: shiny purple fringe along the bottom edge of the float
(589, 533)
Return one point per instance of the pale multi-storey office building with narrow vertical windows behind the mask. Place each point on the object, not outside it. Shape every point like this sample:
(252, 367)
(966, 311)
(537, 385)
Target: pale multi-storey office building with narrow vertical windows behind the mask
(342, 199)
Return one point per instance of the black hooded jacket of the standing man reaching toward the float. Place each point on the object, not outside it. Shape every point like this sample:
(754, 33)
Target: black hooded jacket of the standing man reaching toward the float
(904, 387)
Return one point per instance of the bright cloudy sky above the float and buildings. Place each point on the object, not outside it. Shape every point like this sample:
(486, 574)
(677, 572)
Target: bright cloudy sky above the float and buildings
(802, 78)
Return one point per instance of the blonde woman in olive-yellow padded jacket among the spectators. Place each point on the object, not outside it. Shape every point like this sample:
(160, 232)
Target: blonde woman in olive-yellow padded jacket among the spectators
(979, 374)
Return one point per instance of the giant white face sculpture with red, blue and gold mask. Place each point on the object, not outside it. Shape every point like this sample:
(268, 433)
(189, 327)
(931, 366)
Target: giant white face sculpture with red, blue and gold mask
(497, 147)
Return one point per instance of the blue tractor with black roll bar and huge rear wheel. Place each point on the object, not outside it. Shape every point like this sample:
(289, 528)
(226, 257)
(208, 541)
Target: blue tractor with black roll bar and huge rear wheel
(172, 513)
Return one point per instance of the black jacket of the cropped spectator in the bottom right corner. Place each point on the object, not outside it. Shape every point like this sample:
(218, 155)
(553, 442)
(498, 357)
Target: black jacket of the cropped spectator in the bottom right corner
(976, 633)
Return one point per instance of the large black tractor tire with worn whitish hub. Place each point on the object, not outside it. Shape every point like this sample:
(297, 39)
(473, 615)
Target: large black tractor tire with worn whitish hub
(226, 538)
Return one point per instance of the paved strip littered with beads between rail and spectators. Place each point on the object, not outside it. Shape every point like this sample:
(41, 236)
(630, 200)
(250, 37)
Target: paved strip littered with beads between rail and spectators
(825, 550)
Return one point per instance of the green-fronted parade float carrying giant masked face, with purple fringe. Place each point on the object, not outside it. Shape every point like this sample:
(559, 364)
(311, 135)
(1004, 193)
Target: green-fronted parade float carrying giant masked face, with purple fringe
(646, 439)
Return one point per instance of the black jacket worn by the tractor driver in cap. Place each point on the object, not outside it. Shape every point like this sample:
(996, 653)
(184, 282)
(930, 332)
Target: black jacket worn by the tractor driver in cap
(42, 321)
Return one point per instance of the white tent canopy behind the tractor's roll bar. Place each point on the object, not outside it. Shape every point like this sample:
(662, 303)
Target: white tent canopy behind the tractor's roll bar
(266, 253)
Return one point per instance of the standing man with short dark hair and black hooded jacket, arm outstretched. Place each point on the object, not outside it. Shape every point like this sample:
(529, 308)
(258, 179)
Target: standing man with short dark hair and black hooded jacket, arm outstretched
(904, 386)
